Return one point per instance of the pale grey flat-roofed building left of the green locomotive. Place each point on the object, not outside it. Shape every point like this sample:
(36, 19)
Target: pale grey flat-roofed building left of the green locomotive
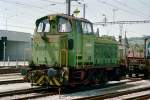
(18, 45)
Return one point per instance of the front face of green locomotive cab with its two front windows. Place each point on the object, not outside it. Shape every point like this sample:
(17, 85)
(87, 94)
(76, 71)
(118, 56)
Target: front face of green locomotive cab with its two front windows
(50, 41)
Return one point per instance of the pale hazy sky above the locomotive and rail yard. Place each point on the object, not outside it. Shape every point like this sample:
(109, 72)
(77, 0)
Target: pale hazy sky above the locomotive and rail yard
(20, 15)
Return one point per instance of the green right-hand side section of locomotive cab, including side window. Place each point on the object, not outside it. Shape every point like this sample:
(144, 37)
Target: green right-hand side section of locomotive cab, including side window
(88, 43)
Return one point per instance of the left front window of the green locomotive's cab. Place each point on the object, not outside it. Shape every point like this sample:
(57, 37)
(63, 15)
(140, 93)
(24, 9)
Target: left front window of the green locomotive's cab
(44, 26)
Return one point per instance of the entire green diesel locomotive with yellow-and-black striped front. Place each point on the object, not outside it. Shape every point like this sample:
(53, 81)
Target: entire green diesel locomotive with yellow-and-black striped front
(66, 52)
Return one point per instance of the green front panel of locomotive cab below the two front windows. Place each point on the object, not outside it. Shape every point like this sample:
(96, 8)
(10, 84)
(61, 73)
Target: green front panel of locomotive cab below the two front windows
(49, 50)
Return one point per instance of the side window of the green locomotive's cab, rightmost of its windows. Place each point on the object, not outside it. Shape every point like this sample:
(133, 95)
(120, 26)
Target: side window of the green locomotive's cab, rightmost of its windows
(86, 28)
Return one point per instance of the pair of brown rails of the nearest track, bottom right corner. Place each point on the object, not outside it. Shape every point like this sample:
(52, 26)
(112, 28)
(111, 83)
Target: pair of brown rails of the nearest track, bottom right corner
(116, 94)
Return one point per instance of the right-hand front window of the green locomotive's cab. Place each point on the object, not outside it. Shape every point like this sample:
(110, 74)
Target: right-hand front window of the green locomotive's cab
(64, 25)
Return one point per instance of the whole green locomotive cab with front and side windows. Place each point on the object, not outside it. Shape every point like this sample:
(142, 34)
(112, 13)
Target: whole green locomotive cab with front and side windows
(60, 40)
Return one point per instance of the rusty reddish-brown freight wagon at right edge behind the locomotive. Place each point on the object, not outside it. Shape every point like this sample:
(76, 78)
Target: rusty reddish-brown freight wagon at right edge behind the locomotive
(139, 62)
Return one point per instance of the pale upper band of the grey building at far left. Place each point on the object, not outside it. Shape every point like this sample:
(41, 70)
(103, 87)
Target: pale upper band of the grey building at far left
(15, 36)
